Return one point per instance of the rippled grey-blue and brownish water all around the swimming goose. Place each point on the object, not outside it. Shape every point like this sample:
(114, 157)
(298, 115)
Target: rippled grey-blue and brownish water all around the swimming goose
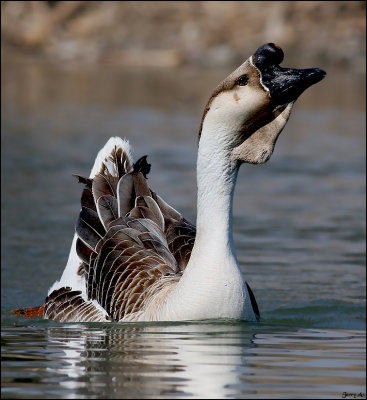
(299, 230)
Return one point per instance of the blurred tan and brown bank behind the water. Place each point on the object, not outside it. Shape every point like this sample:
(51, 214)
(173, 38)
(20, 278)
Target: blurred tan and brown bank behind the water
(201, 33)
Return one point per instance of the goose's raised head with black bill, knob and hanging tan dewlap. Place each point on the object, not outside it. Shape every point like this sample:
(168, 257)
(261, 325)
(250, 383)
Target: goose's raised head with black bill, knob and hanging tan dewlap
(248, 110)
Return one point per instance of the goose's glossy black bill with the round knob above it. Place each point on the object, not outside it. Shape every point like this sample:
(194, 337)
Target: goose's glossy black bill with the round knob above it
(285, 84)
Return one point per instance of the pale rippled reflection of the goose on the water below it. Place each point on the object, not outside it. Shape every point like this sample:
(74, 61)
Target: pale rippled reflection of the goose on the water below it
(182, 359)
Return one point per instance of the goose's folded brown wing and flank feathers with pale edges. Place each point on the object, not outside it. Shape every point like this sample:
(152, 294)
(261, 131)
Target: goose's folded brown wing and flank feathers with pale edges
(131, 244)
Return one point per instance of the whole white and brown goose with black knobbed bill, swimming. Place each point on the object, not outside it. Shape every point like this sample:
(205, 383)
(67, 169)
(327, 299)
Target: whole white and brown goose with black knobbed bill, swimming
(135, 258)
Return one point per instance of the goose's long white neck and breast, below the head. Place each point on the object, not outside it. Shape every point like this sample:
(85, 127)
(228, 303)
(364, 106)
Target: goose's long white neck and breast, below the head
(212, 285)
